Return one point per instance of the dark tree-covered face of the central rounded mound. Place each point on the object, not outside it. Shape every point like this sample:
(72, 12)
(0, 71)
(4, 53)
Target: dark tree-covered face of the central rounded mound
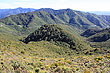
(55, 34)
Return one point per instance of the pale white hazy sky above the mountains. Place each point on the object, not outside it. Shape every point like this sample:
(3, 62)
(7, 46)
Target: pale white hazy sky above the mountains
(82, 5)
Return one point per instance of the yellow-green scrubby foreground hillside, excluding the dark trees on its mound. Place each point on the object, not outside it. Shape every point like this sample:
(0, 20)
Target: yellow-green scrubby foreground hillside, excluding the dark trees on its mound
(50, 57)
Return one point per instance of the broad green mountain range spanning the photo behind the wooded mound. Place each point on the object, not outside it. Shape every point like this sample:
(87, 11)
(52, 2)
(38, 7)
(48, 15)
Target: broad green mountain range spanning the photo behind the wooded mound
(30, 21)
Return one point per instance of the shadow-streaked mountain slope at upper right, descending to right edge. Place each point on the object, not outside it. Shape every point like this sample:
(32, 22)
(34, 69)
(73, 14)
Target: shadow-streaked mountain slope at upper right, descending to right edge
(78, 17)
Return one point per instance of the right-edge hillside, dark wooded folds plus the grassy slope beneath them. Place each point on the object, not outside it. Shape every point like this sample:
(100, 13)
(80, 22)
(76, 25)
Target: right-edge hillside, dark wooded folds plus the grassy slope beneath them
(98, 38)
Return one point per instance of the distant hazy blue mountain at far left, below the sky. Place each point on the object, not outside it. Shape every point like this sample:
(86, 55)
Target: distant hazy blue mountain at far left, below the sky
(8, 12)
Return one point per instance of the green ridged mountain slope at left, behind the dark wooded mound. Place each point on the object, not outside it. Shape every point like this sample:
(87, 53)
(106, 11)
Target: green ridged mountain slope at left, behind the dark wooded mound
(29, 21)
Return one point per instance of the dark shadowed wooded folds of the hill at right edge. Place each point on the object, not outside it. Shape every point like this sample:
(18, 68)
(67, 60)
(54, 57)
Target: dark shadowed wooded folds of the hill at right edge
(97, 35)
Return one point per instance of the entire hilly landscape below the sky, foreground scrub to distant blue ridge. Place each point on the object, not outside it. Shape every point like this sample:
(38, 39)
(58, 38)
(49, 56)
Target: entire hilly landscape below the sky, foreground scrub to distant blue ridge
(53, 41)
